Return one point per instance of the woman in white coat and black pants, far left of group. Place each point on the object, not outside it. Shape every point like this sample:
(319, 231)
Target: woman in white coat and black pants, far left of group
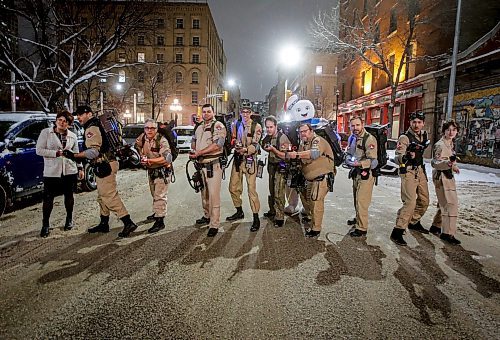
(59, 172)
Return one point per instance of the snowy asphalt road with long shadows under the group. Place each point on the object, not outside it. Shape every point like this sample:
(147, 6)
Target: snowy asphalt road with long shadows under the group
(271, 284)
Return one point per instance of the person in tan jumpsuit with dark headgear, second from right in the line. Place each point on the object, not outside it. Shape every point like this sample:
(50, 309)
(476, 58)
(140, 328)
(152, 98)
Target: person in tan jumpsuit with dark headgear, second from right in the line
(414, 190)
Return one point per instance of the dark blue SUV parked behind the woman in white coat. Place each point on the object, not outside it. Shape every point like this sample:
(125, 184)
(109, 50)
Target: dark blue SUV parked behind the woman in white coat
(21, 169)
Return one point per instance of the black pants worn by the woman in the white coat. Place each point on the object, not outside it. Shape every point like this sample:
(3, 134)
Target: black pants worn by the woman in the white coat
(54, 186)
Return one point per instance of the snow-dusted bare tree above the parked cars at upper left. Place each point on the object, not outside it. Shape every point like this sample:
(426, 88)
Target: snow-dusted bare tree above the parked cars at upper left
(63, 44)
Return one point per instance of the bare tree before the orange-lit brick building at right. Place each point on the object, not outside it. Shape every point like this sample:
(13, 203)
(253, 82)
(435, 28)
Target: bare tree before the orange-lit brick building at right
(357, 35)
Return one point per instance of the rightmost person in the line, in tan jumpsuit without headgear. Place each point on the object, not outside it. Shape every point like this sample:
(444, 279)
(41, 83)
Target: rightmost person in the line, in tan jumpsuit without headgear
(444, 163)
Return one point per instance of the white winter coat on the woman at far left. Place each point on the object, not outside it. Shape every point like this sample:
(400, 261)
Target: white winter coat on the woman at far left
(47, 145)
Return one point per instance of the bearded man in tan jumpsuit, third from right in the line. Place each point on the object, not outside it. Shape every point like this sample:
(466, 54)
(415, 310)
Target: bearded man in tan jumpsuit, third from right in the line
(361, 157)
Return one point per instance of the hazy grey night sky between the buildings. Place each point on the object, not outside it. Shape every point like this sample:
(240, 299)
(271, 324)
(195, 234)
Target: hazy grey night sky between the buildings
(254, 30)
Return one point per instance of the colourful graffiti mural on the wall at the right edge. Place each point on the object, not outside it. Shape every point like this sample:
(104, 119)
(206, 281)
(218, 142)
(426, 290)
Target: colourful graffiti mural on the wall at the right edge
(478, 113)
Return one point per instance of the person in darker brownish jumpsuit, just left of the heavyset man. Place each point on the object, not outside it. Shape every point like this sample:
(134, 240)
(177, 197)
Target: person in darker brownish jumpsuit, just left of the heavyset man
(276, 167)
